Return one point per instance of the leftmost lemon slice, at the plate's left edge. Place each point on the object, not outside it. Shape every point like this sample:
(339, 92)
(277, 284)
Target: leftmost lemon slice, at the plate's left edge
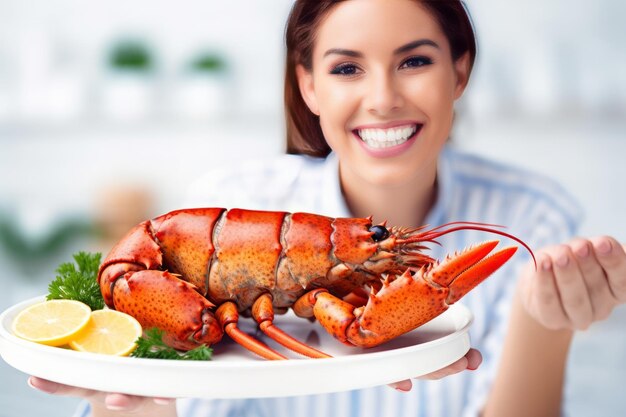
(53, 322)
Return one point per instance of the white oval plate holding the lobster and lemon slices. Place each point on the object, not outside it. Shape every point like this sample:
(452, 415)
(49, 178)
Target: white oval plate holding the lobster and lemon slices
(236, 373)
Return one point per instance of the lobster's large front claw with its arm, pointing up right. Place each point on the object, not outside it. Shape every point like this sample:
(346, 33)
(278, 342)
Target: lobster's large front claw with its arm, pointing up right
(404, 302)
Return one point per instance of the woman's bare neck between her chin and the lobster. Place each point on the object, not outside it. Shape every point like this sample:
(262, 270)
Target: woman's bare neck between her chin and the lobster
(401, 204)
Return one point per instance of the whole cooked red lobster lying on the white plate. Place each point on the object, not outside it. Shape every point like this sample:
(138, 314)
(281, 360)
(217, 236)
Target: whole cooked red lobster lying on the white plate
(191, 272)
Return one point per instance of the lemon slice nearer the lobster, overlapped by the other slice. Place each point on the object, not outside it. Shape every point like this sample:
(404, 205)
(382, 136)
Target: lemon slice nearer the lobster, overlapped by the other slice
(109, 332)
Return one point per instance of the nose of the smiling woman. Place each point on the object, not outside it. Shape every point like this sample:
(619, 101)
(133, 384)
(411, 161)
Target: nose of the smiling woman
(383, 95)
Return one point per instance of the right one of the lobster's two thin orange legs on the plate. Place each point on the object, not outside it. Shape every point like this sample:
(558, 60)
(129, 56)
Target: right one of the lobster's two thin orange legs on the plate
(263, 313)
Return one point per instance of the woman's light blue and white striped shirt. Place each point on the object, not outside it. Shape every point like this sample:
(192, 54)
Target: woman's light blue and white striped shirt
(470, 188)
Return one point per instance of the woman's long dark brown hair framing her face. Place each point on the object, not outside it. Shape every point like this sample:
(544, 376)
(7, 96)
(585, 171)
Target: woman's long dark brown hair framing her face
(304, 133)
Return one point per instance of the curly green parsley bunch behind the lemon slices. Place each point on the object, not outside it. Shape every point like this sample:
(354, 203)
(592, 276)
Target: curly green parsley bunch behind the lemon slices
(82, 284)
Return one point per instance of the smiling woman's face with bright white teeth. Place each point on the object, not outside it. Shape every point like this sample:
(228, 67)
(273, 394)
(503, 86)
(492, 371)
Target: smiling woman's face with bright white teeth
(383, 83)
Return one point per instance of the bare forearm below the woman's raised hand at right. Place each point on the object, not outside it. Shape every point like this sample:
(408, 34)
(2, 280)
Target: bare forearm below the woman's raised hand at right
(530, 378)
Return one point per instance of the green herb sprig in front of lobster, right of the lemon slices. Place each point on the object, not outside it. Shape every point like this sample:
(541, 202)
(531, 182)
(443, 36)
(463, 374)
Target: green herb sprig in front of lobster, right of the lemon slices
(151, 346)
